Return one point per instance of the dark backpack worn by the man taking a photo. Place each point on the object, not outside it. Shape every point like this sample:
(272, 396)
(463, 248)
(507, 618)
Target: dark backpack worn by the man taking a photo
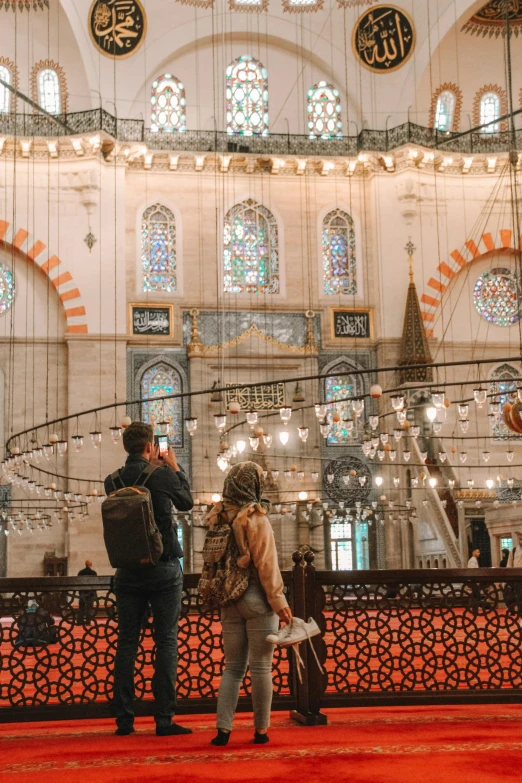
(131, 536)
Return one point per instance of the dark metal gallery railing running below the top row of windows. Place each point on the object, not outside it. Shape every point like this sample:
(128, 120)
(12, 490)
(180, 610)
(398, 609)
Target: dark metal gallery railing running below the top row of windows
(134, 131)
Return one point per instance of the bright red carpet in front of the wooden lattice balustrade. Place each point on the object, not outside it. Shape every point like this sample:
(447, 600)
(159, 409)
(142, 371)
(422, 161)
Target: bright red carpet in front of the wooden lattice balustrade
(476, 744)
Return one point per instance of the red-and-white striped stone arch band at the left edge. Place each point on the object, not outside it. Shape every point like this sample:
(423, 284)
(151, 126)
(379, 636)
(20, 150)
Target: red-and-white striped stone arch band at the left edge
(35, 251)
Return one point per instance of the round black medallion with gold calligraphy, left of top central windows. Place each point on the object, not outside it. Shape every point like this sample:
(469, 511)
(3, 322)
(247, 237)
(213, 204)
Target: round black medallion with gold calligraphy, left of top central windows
(117, 27)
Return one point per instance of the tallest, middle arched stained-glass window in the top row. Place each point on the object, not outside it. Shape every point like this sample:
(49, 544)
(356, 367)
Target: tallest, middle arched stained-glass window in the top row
(247, 97)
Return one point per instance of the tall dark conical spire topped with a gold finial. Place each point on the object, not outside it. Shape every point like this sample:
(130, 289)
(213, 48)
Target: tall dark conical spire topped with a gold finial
(414, 344)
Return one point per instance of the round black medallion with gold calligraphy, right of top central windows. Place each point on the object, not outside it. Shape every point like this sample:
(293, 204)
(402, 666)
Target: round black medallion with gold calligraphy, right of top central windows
(383, 38)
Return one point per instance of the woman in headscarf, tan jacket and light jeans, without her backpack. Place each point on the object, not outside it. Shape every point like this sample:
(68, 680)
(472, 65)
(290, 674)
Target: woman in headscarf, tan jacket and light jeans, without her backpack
(247, 622)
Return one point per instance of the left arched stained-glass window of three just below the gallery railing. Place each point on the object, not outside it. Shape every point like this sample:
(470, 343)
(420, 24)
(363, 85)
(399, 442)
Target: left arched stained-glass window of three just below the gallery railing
(158, 249)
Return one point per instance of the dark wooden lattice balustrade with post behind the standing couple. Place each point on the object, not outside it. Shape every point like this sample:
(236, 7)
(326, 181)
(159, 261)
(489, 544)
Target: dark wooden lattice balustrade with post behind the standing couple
(388, 637)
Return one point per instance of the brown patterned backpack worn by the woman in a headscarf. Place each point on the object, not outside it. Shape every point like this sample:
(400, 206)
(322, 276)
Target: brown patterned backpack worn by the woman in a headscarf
(222, 581)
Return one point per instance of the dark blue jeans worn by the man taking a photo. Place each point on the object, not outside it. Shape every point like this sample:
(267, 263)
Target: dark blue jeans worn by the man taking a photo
(161, 587)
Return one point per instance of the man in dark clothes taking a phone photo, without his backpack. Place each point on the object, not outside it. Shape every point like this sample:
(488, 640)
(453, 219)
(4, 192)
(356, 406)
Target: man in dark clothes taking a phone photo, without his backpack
(159, 585)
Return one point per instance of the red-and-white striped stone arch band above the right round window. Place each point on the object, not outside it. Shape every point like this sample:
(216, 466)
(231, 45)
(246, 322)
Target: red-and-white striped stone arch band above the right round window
(435, 288)
